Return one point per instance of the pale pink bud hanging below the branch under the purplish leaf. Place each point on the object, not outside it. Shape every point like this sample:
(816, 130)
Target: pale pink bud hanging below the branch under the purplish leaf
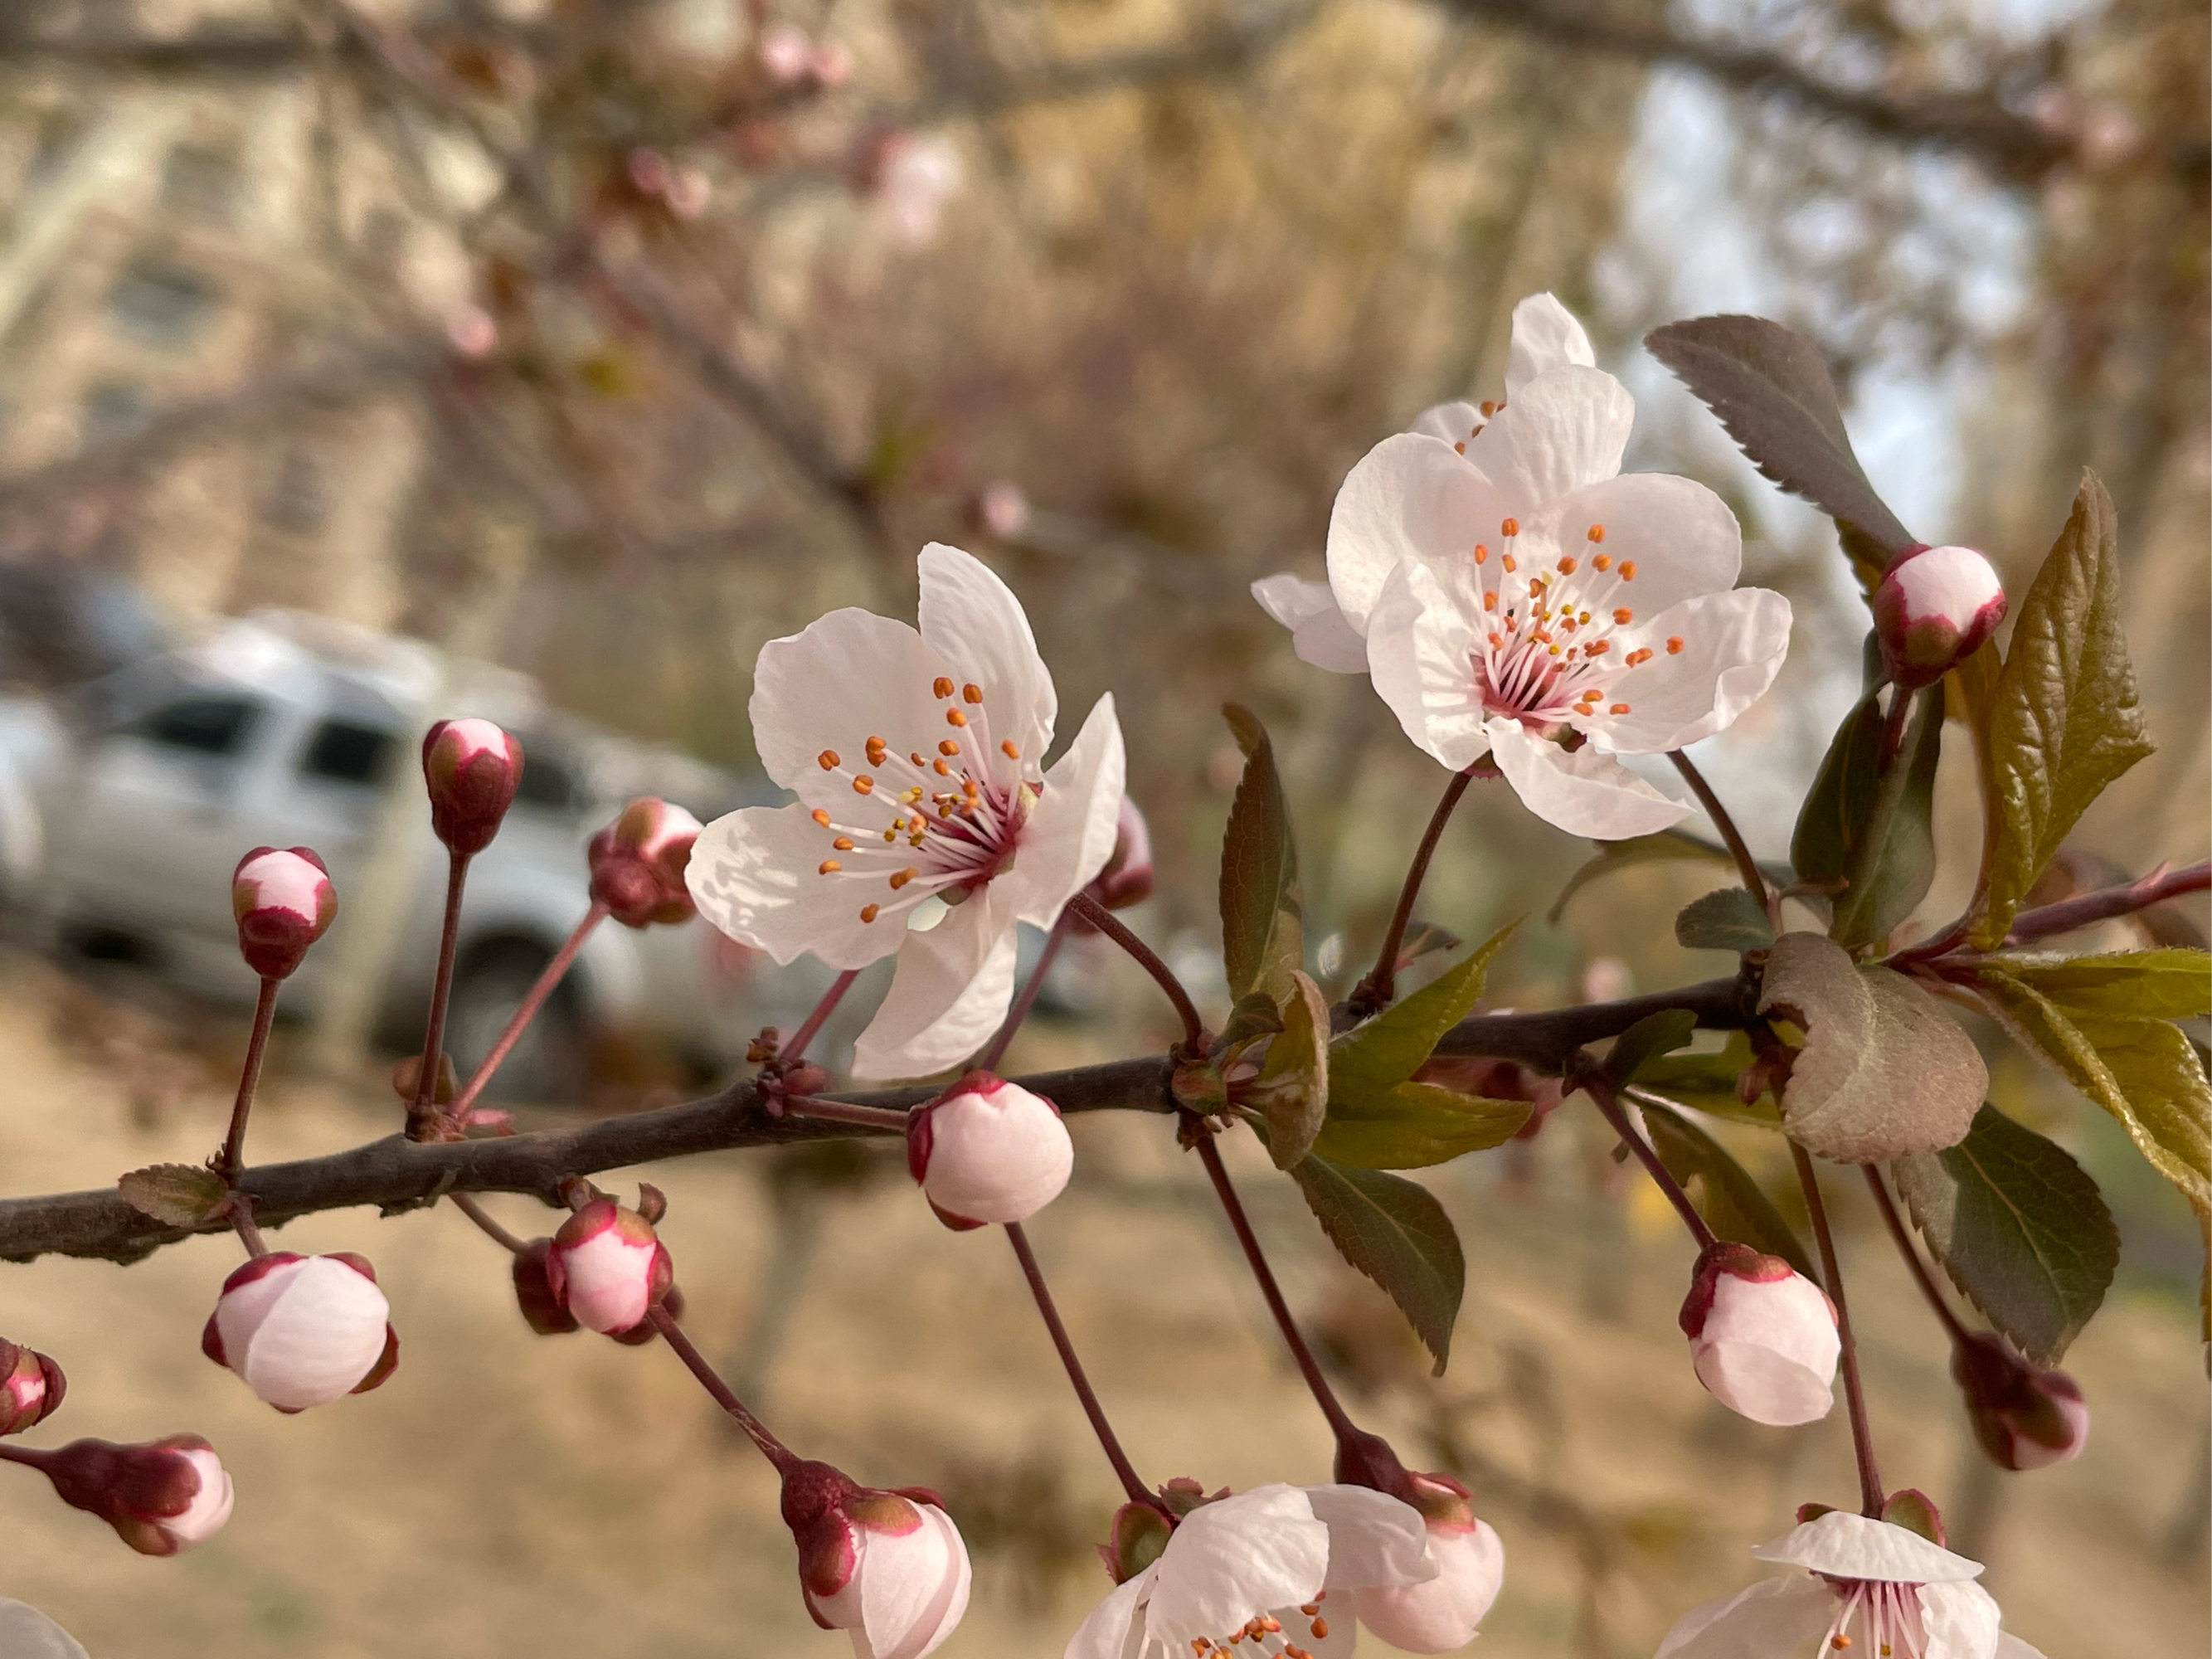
(1762, 1335)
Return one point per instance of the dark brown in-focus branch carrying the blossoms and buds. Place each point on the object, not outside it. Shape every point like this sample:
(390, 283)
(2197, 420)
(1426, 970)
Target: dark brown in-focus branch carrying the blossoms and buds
(399, 1176)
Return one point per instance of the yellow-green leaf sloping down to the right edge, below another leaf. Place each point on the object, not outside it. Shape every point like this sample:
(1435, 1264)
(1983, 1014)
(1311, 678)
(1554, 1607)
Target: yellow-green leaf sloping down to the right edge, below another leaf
(2142, 1072)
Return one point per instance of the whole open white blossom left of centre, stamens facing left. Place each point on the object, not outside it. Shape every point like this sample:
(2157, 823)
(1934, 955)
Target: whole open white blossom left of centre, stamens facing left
(917, 760)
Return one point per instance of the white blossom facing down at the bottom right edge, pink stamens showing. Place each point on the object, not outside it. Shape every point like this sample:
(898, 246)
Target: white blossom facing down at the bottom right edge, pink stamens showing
(1870, 1587)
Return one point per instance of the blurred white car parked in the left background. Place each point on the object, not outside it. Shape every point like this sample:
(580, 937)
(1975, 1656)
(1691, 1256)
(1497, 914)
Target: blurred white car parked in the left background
(127, 804)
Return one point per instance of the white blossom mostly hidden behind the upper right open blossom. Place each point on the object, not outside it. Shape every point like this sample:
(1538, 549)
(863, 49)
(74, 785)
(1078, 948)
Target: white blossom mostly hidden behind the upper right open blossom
(1331, 627)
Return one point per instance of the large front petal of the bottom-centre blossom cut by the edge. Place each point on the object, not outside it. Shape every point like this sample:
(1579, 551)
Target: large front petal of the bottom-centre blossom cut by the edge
(1233, 1561)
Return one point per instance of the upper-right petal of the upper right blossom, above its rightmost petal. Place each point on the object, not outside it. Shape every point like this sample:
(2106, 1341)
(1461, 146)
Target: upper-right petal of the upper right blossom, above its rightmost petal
(1673, 532)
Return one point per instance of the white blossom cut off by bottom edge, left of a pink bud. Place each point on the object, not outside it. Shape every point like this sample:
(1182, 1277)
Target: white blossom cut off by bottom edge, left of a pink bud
(1253, 1576)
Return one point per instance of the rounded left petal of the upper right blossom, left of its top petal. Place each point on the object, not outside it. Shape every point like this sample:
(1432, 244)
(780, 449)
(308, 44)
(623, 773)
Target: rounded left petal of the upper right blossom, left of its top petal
(1408, 494)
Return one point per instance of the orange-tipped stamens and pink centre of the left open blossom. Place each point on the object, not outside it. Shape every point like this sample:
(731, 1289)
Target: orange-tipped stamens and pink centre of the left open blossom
(952, 808)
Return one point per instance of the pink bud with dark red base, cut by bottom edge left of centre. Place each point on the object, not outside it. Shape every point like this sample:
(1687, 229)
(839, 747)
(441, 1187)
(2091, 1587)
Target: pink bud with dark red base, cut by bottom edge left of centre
(884, 1565)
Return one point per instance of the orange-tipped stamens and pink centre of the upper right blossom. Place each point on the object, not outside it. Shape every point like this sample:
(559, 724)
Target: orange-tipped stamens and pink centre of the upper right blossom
(1547, 649)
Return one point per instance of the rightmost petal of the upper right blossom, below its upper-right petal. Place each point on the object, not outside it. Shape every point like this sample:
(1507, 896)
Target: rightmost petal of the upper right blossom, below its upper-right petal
(1733, 647)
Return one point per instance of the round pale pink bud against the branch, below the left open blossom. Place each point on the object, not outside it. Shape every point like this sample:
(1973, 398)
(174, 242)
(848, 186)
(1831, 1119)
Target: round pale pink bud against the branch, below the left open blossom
(988, 1151)
